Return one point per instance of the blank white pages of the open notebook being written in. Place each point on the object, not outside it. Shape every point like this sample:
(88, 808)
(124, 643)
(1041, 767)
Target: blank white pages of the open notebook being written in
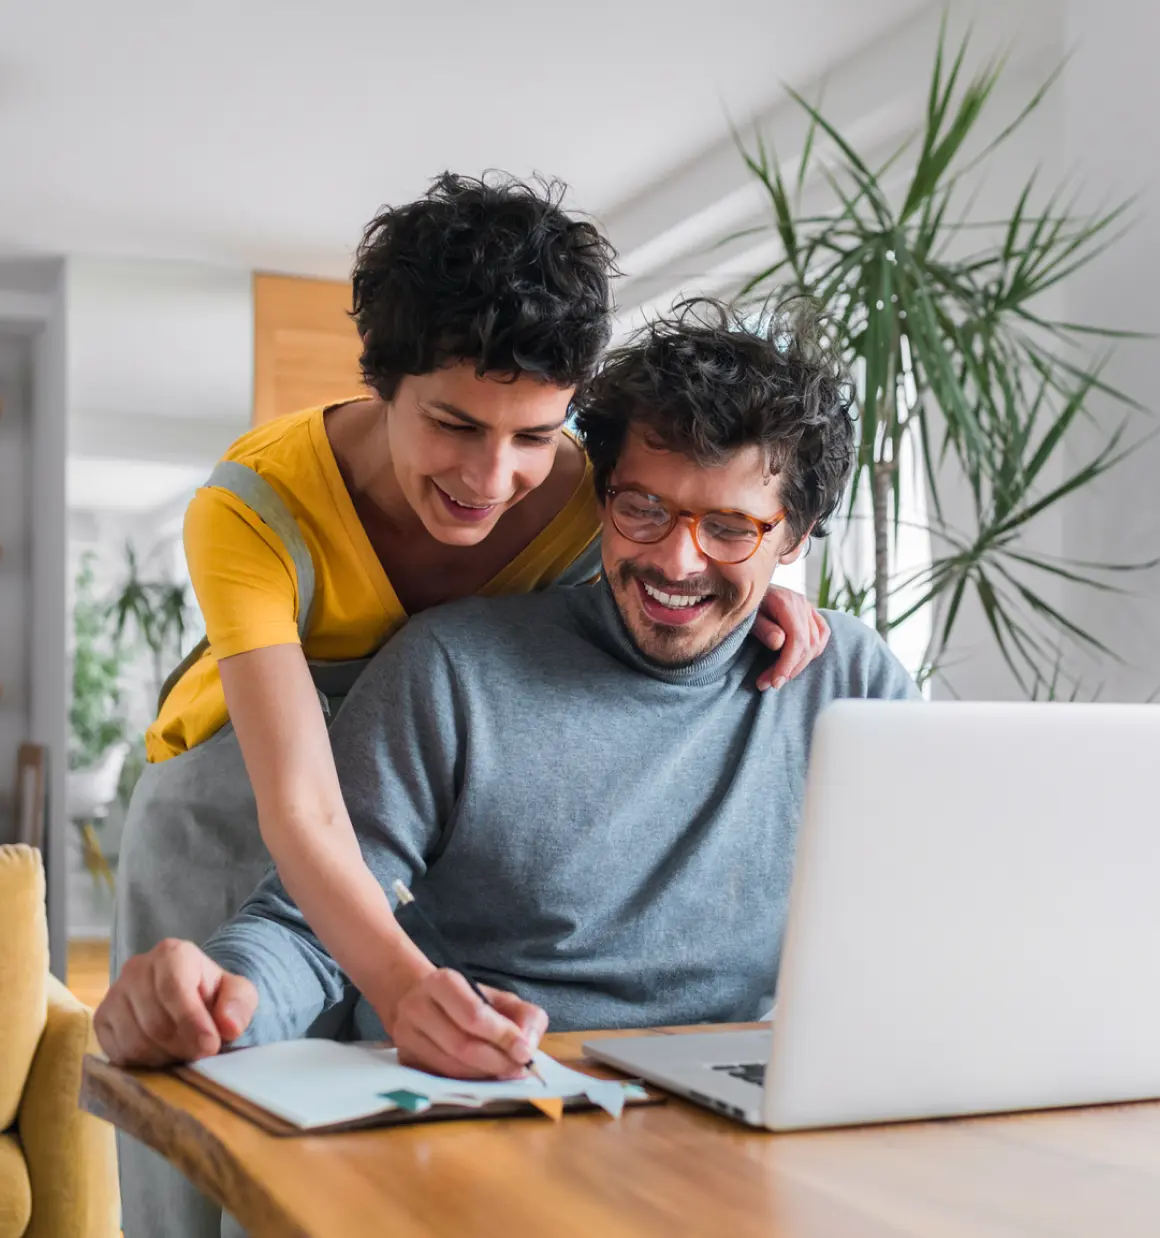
(322, 1083)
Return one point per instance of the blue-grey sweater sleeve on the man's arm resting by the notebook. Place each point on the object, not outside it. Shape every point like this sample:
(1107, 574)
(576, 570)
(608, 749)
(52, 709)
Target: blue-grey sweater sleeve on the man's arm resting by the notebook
(397, 742)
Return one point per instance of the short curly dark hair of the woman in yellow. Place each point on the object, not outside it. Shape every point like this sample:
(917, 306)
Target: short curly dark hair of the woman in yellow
(487, 272)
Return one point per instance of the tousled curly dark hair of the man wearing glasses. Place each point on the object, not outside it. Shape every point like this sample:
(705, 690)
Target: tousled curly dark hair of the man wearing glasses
(706, 383)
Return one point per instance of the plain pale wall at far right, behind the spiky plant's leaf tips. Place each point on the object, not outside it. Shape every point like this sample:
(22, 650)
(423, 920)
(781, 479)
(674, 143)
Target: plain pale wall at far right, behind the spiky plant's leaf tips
(1112, 96)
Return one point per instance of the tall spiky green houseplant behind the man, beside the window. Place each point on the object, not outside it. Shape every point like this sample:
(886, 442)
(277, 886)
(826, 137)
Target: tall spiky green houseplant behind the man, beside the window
(940, 320)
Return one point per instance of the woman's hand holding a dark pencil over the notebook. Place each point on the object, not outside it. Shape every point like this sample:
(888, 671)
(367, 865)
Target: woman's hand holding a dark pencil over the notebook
(449, 1024)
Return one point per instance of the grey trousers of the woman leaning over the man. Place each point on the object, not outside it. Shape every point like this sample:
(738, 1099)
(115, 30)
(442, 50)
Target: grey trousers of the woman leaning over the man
(191, 855)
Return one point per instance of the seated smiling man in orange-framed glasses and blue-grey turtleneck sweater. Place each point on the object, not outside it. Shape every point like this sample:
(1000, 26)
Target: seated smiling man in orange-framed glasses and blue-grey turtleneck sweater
(584, 788)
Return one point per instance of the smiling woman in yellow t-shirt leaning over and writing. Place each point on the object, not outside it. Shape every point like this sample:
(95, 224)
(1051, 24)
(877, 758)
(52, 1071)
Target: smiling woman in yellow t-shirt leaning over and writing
(481, 309)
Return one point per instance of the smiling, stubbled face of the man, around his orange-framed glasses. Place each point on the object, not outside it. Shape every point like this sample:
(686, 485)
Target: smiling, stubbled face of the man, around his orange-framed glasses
(678, 604)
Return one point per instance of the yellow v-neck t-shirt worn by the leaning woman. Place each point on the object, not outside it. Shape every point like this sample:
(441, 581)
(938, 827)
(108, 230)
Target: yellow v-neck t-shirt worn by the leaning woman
(246, 585)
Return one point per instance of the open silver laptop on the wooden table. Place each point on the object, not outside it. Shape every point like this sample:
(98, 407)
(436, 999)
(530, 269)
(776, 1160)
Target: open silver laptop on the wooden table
(974, 928)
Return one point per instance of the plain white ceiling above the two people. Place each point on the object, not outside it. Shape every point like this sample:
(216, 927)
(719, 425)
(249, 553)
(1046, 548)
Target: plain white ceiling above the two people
(264, 134)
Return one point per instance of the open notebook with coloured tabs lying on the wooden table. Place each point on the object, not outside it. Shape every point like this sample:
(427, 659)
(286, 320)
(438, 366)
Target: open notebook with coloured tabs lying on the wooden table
(320, 1086)
